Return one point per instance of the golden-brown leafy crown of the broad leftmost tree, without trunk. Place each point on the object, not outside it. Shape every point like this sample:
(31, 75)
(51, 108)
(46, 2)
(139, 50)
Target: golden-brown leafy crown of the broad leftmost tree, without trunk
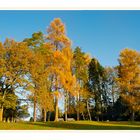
(15, 58)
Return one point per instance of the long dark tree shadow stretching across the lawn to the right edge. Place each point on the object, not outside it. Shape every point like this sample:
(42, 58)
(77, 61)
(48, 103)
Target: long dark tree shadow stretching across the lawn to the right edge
(74, 126)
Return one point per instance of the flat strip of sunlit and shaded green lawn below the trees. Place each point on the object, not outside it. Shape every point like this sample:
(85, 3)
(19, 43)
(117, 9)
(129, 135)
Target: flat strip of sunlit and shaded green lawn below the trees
(75, 125)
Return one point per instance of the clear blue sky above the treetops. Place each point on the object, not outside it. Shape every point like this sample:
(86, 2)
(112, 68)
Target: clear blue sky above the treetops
(101, 33)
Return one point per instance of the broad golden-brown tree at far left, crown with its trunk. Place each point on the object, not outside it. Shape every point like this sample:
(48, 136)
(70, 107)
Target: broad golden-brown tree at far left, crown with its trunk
(15, 58)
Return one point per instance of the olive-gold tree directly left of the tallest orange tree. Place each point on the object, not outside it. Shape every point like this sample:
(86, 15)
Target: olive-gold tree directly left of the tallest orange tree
(39, 78)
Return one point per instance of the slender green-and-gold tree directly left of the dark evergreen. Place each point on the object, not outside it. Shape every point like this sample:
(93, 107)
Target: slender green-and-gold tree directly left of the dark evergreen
(80, 69)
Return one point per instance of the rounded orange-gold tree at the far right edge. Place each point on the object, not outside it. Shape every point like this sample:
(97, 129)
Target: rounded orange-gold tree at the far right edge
(129, 79)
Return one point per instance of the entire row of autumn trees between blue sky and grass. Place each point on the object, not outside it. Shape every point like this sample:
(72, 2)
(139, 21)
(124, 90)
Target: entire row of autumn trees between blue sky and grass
(43, 70)
